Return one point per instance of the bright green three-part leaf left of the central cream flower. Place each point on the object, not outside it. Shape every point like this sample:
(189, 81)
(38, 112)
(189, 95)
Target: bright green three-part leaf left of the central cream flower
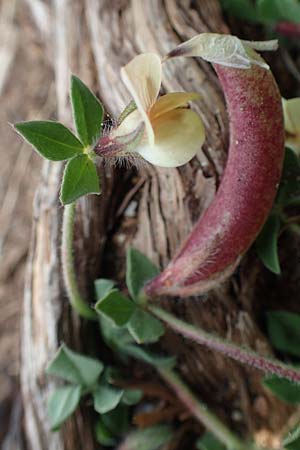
(55, 142)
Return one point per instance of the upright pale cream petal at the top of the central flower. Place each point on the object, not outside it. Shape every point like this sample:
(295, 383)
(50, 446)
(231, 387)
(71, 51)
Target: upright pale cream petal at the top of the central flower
(142, 77)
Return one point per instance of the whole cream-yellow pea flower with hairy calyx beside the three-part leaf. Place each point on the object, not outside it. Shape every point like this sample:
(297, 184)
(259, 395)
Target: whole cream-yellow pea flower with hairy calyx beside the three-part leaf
(160, 129)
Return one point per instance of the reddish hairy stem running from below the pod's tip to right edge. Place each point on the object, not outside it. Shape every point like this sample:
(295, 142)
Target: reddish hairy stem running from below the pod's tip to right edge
(233, 351)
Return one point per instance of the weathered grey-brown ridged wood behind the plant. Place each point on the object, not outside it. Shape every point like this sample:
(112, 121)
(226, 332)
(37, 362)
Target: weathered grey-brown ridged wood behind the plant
(94, 38)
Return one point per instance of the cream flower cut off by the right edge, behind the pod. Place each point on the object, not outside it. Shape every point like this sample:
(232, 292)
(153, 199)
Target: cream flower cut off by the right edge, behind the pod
(291, 112)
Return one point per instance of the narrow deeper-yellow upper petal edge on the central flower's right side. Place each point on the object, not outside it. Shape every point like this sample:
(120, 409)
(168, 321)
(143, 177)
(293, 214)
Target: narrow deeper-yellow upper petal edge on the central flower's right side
(171, 101)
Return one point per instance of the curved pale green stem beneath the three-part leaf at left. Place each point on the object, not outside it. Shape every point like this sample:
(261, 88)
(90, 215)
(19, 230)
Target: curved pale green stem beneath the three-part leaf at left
(67, 257)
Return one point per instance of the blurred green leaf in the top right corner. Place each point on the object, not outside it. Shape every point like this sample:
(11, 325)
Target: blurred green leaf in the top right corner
(273, 11)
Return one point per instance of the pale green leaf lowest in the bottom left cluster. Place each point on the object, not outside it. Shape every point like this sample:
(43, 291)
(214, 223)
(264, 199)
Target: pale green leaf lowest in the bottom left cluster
(62, 403)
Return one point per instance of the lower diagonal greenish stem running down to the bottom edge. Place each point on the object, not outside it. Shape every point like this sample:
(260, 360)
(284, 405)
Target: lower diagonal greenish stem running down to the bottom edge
(200, 411)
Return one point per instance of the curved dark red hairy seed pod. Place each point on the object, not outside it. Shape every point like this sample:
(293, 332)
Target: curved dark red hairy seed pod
(248, 187)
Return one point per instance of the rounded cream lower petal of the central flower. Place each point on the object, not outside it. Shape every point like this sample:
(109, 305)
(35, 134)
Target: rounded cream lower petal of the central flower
(179, 134)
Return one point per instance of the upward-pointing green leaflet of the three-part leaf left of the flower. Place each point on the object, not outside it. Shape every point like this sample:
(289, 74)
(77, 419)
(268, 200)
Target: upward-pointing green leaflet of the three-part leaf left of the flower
(87, 112)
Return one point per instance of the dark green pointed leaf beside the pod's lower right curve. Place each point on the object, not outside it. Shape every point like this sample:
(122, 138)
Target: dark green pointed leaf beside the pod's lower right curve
(266, 244)
